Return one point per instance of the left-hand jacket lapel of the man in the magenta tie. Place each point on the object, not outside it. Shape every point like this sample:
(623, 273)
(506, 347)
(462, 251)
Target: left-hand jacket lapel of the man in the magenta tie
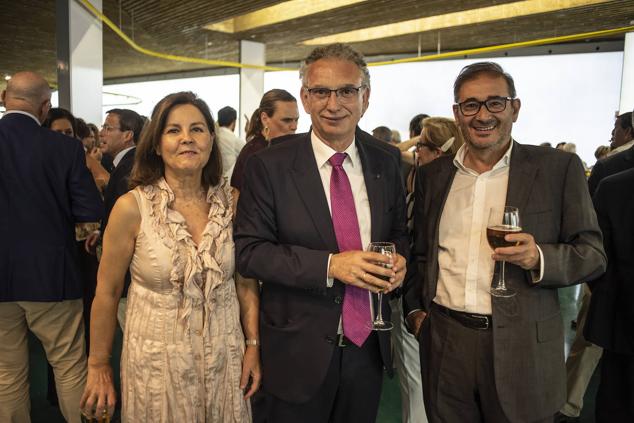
(311, 190)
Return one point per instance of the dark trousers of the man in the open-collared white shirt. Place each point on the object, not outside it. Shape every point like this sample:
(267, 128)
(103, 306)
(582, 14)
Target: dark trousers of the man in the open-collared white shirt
(457, 372)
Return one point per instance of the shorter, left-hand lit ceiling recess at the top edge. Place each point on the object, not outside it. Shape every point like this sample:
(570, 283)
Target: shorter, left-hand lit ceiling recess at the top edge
(281, 12)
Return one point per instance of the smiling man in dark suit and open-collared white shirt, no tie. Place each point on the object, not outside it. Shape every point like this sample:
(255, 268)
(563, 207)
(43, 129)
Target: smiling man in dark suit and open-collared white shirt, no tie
(487, 358)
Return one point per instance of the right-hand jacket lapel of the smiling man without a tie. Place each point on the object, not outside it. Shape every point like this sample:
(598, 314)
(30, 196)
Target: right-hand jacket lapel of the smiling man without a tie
(521, 174)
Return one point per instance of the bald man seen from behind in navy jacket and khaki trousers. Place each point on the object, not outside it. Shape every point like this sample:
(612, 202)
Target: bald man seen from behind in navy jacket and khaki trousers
(45, 188)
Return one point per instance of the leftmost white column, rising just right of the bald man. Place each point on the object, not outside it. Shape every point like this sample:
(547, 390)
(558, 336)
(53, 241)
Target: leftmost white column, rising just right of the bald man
(80, 60)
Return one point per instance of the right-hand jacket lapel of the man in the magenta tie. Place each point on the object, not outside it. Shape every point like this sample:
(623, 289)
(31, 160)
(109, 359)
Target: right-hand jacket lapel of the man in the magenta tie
(373, 175)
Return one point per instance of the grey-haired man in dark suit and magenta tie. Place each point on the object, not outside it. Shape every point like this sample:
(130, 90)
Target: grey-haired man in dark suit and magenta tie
(308, 208)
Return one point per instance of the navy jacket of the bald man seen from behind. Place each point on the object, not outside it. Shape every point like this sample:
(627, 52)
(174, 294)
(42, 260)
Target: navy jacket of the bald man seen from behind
(45, 188)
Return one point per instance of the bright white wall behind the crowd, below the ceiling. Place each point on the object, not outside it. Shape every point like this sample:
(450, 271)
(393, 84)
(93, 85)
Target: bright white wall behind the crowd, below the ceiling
(569, 98)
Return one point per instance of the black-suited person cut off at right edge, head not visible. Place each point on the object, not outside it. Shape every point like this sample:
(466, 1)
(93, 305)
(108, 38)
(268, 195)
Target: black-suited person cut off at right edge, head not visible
(610, 320)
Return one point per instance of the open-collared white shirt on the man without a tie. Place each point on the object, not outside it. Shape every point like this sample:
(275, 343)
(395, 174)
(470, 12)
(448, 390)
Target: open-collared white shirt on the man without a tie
(464, 255)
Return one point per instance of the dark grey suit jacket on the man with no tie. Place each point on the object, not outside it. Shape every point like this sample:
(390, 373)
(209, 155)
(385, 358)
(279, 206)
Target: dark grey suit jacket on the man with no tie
(549, 187)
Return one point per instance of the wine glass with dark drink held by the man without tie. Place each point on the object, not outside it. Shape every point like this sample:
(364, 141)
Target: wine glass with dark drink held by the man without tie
(502, 221)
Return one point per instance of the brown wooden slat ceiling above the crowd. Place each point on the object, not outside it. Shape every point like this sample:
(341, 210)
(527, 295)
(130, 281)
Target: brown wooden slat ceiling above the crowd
(177, 27)
